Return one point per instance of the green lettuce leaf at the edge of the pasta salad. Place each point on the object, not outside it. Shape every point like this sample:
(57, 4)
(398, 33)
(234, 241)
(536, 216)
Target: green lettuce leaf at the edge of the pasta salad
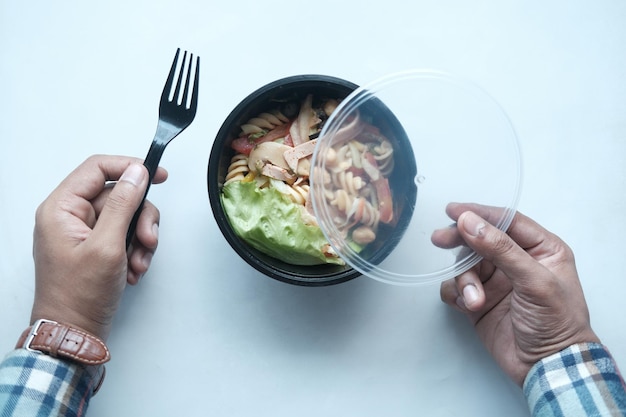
(270, 222)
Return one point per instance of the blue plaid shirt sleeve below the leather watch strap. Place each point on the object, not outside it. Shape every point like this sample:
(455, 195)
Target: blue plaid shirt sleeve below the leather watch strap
(33, 384)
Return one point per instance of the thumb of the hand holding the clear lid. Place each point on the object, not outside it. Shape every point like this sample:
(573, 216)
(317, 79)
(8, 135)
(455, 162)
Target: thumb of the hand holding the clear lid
(498, 247)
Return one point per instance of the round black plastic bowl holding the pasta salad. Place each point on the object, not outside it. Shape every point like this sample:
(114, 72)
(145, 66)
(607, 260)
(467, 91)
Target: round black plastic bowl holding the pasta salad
(294, 88)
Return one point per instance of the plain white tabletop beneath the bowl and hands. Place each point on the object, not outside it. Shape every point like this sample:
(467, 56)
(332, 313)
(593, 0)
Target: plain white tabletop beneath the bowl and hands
(204, 333)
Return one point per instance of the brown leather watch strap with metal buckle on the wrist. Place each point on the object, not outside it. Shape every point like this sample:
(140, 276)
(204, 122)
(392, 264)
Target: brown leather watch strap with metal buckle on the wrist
(62, 341)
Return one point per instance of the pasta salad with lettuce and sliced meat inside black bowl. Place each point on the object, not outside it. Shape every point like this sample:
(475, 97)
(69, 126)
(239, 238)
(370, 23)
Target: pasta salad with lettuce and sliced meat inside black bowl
(266, 191)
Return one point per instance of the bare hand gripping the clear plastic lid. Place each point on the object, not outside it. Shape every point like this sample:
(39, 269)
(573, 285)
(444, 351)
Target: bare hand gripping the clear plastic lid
(524, 298)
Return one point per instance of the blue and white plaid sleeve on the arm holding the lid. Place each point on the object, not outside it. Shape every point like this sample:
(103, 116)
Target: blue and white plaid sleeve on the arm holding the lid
(582, 380)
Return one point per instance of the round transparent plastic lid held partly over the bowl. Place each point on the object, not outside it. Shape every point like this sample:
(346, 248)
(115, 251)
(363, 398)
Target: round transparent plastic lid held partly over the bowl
(393, 157)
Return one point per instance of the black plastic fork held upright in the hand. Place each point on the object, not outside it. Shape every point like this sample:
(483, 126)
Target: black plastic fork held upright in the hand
(175, 115)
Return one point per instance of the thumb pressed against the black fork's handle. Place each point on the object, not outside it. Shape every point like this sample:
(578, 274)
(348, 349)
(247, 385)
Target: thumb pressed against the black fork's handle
(121, 204)
